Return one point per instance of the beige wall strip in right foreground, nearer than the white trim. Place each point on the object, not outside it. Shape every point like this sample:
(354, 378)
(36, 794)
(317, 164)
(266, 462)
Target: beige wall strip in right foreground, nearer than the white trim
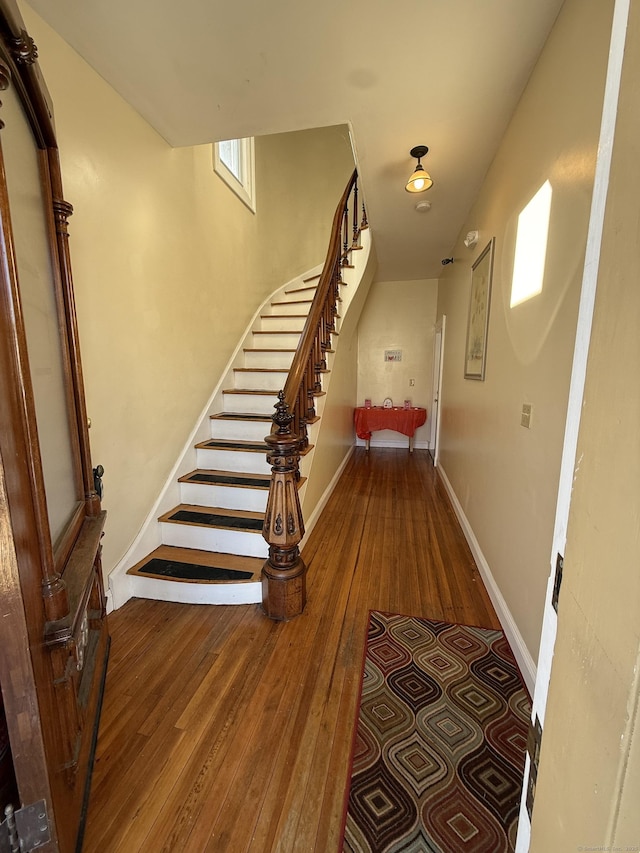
(588, 790)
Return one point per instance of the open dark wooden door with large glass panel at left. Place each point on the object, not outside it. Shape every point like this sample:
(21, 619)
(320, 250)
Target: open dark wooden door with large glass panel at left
(53, 629)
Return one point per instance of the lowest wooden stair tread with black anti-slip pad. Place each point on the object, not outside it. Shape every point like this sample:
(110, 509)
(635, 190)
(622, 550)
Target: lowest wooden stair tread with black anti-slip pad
(205, 559)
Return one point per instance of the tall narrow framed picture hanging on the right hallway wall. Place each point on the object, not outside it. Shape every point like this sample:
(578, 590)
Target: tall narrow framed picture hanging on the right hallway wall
(478, 320)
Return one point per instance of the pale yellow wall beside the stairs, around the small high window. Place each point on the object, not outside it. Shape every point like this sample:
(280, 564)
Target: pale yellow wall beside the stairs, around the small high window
(169, 266)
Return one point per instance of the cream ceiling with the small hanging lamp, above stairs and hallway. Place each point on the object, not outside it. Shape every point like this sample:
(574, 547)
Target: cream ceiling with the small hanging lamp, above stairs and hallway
(441, 73)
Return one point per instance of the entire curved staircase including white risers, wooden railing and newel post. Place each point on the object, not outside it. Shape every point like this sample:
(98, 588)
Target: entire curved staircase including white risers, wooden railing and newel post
(207, 540)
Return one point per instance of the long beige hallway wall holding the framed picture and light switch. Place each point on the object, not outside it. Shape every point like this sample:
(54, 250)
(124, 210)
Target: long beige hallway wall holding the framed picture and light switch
(505, 476)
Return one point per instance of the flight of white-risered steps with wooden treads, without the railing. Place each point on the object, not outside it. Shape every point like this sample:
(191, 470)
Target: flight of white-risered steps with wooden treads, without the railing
(213, 538)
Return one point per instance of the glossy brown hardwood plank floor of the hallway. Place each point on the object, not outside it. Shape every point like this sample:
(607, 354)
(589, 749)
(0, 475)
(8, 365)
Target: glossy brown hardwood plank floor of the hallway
(224, 731)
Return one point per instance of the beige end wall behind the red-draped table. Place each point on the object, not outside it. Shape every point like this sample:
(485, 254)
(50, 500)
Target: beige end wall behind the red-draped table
(398, 315)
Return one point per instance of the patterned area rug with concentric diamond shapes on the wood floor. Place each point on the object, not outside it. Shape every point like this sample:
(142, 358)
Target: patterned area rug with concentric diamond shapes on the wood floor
(438, 754)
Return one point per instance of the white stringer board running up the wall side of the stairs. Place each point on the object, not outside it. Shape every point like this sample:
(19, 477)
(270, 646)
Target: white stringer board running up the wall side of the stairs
(120, 585)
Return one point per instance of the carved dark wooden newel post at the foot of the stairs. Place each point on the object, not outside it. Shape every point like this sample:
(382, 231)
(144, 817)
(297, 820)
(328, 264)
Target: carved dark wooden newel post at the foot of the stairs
(283, 574)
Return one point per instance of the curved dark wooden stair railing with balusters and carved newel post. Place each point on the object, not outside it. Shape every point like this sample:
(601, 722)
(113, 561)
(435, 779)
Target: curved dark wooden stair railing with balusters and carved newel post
(283, 574)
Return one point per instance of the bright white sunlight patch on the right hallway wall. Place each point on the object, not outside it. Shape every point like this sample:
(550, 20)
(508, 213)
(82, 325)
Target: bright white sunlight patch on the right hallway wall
(531, 247)
